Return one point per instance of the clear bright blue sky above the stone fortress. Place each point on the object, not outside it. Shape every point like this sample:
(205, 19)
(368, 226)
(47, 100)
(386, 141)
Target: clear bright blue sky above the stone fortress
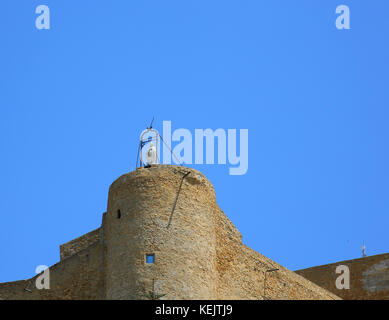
(74, 99)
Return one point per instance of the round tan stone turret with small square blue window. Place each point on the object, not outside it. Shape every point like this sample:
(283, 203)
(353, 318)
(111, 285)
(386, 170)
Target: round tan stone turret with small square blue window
(159, 235)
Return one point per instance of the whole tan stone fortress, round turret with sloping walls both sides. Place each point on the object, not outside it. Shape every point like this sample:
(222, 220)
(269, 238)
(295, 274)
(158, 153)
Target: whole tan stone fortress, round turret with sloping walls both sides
(164, 233)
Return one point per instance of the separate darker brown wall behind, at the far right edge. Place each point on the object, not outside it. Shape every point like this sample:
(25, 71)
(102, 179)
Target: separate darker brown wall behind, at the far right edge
(369, 277)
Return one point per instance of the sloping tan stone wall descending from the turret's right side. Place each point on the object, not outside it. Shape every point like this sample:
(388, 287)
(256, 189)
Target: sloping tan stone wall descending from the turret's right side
(241, 272)
